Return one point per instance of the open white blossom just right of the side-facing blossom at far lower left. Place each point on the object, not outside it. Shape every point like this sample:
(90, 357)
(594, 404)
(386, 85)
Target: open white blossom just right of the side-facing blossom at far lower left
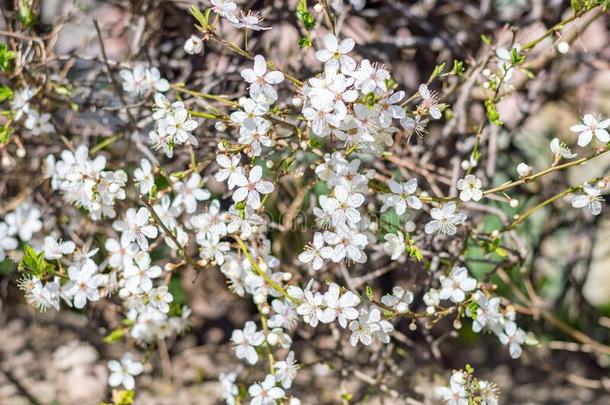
(83, 284)
